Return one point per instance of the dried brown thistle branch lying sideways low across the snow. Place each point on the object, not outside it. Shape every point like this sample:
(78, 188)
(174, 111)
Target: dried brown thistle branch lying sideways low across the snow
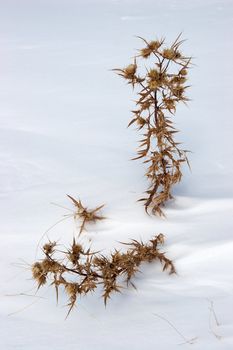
(79, 270)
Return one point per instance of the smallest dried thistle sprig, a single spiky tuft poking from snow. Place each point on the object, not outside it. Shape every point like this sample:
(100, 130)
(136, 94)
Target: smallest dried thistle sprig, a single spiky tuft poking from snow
(84, 214)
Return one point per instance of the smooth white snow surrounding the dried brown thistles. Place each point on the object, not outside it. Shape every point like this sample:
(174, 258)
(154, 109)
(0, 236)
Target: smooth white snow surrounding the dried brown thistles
(63, 118)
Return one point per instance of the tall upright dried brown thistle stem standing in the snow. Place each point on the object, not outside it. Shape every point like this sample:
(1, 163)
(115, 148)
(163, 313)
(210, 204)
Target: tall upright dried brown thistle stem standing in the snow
(160, 89)
